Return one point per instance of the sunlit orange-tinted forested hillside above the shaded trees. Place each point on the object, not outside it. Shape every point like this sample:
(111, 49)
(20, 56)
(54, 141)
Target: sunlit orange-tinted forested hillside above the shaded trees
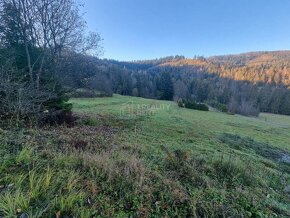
(266, 67)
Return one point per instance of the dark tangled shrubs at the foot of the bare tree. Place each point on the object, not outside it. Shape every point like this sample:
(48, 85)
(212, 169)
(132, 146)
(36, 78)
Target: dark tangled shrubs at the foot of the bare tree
(21, 102)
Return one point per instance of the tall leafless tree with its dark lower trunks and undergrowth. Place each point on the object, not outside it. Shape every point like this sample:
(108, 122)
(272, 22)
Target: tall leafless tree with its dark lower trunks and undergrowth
(35, 35)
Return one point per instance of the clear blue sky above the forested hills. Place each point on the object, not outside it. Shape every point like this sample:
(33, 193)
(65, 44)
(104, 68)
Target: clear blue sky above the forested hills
(146, 29)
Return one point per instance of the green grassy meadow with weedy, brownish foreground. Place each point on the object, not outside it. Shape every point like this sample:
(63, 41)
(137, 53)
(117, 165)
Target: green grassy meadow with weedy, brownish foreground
(135, 157)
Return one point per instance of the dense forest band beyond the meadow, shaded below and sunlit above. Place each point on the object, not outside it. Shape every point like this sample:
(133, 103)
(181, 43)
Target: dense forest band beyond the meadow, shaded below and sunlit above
(245, 84)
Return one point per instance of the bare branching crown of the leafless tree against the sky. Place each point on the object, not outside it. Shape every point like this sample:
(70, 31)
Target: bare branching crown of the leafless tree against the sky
(51, 26)
